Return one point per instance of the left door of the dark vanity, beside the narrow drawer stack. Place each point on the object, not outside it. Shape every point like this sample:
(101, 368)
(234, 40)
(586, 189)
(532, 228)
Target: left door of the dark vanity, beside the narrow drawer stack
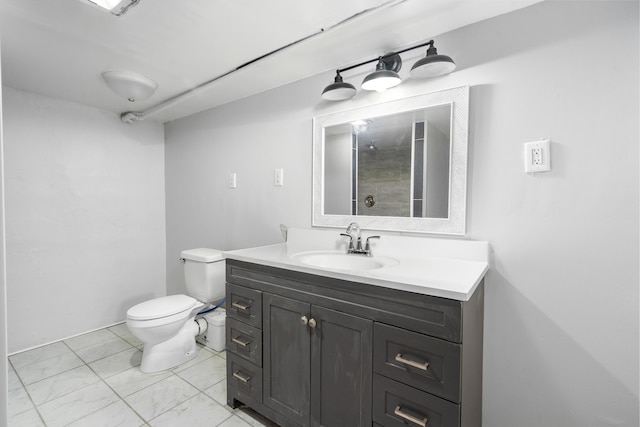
(286, 357)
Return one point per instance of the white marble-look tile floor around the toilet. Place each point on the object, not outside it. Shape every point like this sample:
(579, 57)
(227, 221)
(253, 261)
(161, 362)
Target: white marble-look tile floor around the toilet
(94, 380)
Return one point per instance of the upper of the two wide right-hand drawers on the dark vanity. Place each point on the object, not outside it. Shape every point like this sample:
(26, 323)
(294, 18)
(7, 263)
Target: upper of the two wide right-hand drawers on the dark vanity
(424, 362)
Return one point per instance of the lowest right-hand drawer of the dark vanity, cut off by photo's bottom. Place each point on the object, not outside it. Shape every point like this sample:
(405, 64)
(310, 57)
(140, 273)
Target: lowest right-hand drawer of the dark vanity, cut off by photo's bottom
(398, 405)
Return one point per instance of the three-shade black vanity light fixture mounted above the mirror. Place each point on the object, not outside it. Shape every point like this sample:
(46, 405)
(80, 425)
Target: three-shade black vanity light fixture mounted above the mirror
(386, 74)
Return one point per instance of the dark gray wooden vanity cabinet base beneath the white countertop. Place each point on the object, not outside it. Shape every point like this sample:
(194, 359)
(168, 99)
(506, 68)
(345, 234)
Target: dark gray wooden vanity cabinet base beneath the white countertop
(308, 350)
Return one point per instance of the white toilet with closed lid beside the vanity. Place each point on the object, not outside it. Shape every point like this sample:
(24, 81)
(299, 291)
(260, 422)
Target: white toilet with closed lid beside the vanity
(167, 325)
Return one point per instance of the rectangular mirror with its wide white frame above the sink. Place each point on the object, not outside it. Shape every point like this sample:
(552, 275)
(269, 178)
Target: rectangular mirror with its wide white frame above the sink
(399, 165)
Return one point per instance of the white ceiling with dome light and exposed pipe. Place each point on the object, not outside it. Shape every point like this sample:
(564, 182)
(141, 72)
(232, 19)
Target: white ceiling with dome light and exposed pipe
(59, 48)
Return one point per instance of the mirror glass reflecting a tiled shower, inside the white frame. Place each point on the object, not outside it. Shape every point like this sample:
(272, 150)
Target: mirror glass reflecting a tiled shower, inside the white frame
(396, 165)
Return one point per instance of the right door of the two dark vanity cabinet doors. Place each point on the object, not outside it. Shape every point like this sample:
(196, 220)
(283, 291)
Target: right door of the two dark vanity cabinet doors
(341, 369)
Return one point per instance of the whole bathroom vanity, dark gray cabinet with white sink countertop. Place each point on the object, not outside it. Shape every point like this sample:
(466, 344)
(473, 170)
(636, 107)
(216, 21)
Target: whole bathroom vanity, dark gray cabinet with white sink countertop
(394, 344)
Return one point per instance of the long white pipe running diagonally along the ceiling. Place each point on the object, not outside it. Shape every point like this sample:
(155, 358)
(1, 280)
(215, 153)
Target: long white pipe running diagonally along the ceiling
(131, 116)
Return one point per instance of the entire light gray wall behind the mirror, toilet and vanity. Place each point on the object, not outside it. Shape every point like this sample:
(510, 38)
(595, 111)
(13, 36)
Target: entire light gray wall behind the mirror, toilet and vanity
(561, 328)
